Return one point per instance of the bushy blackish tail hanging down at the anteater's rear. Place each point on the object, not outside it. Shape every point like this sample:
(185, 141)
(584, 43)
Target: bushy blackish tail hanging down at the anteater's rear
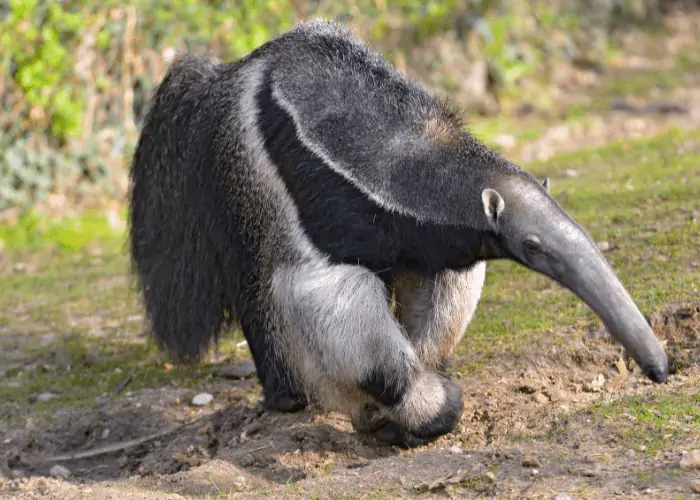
(172, 254)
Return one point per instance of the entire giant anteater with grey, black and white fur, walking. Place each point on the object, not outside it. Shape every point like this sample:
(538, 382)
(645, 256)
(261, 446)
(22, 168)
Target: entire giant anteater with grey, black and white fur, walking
(294, 191)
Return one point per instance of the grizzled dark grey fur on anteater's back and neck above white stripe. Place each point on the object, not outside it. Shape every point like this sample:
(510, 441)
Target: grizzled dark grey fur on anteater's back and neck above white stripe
(371, 121)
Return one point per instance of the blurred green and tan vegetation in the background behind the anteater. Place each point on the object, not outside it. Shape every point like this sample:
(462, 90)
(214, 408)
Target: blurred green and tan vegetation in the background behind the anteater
(76, 74)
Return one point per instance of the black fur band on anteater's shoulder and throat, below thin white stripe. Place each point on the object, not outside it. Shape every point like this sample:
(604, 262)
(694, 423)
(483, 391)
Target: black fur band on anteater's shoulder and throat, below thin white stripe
(343, 222)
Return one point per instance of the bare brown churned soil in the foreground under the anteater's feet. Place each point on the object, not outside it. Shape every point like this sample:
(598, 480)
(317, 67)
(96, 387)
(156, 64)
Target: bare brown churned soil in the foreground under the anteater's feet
(515, 408)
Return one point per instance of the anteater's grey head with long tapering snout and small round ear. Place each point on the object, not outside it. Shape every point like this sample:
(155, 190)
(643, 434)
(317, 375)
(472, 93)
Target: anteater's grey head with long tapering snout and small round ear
(529, 227)
